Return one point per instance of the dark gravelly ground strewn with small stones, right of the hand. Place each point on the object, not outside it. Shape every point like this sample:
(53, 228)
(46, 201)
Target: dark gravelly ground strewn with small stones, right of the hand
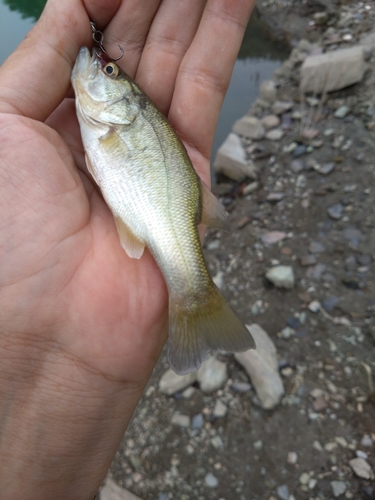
(299, 262)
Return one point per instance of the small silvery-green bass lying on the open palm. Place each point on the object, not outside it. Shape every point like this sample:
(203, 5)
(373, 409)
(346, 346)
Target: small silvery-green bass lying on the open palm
(157, 200)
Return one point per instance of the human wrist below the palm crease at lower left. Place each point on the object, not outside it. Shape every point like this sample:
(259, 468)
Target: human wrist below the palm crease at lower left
(60, 424)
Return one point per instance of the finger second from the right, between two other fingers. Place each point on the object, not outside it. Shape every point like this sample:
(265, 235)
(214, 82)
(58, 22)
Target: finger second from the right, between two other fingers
(171, 33)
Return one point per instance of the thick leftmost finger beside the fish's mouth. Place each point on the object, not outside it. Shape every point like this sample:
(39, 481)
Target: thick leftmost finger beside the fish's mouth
(36, 77)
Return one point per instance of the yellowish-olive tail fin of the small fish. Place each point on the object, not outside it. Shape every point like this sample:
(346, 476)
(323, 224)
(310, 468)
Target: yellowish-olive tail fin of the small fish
(197, 329)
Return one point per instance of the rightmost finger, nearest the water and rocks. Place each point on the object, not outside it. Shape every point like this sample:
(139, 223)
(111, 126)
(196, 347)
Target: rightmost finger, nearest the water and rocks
(205, 72)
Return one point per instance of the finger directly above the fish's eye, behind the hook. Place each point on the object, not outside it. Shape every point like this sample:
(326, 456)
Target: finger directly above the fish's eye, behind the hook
(129, 29)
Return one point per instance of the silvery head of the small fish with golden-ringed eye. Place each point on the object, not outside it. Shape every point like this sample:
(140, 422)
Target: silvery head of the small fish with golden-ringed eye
(104, 94)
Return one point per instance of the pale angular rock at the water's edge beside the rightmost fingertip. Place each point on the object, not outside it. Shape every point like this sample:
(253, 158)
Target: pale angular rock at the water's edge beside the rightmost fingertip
(231, 160)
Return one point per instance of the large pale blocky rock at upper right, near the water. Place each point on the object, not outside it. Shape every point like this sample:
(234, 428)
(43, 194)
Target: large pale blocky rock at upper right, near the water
(333, 70)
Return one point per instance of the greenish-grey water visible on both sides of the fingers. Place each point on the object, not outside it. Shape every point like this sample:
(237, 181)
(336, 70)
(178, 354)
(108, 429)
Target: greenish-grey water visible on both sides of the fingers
(258, 59)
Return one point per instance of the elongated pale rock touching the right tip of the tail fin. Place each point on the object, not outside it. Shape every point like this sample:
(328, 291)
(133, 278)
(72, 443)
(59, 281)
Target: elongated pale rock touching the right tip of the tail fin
(262, 367)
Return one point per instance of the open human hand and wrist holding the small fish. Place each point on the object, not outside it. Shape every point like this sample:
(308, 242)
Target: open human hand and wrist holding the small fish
(81, 324)
